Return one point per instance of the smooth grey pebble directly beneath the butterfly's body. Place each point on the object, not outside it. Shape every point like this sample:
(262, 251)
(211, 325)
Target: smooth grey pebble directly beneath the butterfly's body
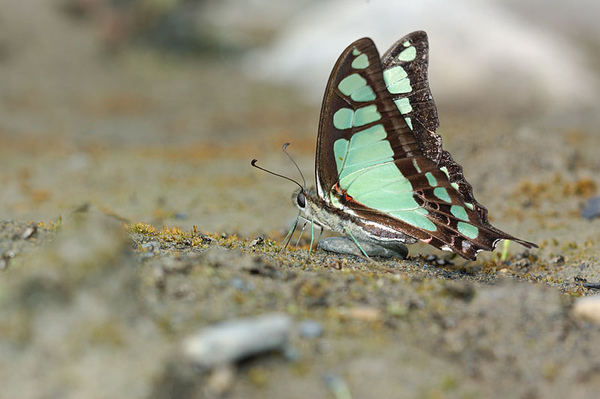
(351, 246)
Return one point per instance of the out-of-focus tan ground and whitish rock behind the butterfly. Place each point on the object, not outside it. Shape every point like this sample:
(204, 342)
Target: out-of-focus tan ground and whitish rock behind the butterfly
(152, 110)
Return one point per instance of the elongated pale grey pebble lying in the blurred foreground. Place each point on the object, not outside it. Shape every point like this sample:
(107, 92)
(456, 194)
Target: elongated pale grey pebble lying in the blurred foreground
(231, 341)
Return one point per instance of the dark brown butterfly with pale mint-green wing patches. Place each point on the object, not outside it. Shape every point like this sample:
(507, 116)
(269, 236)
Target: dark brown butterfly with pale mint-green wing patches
(382, 176)
